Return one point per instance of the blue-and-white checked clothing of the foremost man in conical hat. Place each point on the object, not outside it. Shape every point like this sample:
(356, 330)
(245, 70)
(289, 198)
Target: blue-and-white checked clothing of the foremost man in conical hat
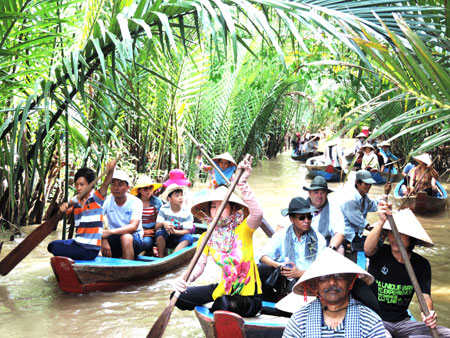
(359, 322)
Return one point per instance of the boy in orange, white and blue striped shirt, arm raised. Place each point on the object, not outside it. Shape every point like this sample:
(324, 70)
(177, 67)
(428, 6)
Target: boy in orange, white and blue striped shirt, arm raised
(88, 218)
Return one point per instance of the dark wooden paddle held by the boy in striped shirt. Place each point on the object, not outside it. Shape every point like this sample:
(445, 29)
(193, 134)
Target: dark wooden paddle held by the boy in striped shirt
(37, 235)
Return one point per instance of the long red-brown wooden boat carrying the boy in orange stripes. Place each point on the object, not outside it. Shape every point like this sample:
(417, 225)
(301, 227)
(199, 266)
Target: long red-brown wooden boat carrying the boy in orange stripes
(109, 274)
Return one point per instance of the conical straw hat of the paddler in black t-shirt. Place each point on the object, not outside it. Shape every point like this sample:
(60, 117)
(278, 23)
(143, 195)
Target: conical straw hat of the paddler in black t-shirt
(408, 224)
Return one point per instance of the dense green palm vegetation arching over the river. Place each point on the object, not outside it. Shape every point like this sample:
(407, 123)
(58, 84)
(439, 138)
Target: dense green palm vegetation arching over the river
(82, 81)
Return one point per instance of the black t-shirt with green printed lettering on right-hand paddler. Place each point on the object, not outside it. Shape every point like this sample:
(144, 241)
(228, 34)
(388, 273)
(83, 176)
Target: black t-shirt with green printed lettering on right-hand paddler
(392, 287)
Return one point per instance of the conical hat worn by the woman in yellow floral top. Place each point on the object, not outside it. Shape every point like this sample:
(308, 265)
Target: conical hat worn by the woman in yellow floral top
(202, 199)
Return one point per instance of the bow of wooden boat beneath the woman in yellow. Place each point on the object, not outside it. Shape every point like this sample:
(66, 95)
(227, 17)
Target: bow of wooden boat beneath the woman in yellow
(262, 326)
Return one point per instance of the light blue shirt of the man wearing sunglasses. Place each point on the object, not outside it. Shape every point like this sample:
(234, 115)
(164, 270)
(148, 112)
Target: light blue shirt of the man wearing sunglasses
(276, 248)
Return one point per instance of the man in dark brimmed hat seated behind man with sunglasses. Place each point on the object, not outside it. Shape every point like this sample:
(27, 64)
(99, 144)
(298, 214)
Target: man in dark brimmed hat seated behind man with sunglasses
(328, 219)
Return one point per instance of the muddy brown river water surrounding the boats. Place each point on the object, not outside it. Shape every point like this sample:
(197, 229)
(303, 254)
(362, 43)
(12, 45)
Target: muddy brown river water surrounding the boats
(31, 304)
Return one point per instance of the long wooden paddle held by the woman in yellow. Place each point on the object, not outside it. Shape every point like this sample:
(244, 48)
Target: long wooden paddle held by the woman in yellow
(160, 325)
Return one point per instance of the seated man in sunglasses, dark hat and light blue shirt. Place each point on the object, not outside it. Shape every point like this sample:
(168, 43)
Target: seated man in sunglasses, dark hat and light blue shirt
(291, 250)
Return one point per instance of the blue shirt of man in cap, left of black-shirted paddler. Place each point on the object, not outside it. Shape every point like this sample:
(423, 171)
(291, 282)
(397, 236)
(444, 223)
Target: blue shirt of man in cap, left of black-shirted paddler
(355, 210)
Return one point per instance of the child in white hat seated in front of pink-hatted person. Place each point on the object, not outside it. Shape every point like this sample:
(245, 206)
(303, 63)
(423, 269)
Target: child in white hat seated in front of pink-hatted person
(174, 223)
